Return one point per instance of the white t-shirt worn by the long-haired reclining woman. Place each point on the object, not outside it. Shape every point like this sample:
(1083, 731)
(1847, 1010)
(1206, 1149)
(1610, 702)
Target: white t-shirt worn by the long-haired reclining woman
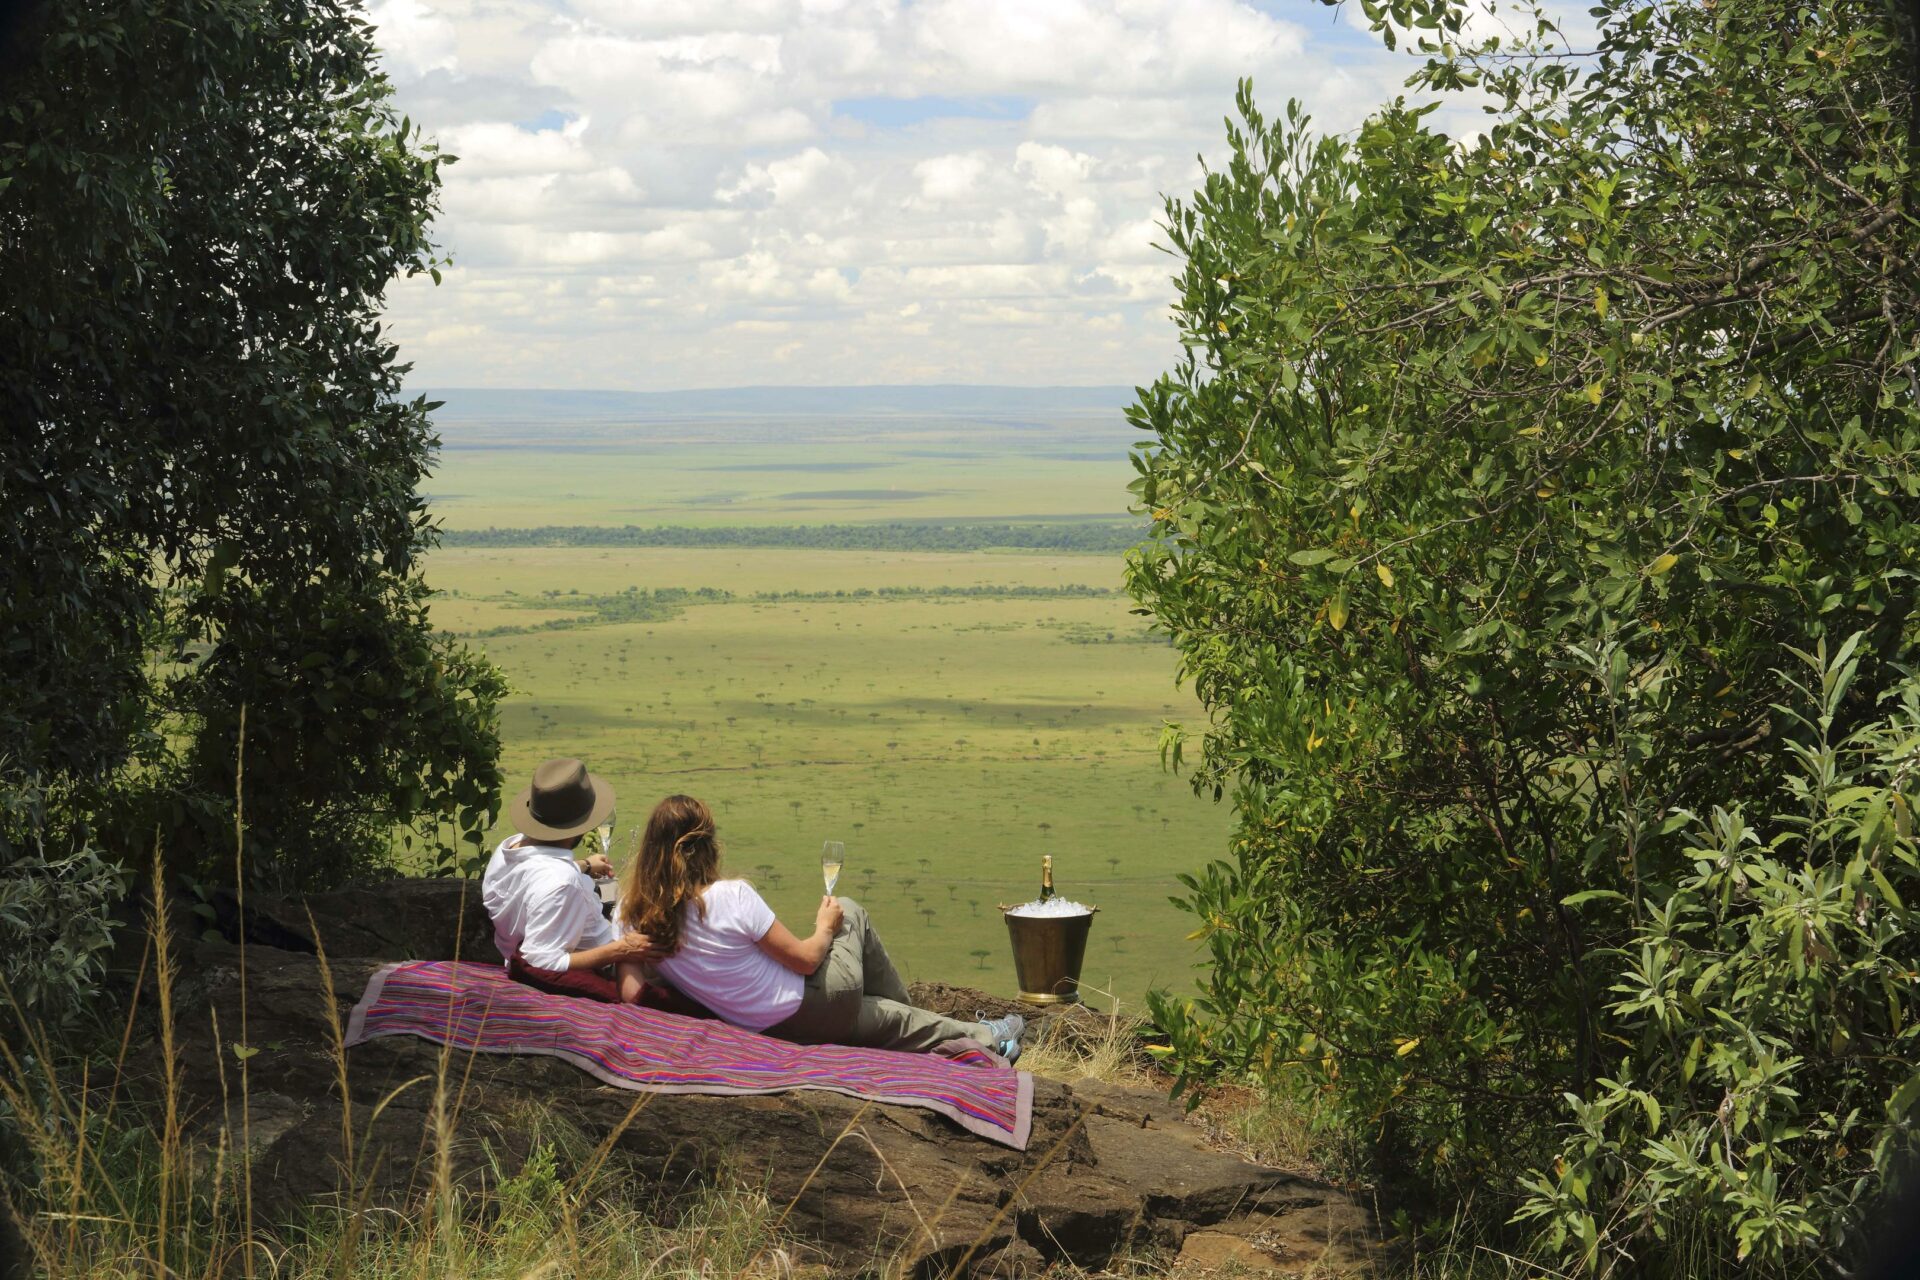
(721, 962)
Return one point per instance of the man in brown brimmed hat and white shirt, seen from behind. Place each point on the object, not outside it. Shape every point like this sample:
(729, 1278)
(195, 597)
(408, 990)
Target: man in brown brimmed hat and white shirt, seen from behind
(546, 916)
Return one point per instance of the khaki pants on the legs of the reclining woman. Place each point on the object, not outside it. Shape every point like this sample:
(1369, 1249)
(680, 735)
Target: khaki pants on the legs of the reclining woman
(857, 997)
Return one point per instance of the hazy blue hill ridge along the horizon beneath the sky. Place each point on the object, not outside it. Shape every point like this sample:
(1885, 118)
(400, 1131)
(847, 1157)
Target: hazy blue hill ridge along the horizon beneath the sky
(940, 400)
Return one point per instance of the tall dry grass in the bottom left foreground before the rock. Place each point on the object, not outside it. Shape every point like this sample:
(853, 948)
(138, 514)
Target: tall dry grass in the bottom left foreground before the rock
(120, 1191)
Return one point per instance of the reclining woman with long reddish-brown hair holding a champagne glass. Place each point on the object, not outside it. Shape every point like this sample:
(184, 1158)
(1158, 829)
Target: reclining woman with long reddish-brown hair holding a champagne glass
(723, 945)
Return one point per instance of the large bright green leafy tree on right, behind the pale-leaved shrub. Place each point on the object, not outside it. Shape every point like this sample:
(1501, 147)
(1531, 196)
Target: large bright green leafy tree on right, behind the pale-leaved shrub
(1495, 486)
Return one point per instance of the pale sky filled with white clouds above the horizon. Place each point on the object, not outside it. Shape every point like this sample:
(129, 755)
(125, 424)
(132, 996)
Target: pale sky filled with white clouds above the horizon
(661, 195)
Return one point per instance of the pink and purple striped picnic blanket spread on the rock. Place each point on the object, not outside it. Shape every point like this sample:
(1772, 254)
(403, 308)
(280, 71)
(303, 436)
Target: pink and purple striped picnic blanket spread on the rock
(479, 1008)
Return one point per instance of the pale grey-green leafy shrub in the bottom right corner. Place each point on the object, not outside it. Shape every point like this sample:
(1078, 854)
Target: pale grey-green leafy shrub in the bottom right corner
(1771, 1062)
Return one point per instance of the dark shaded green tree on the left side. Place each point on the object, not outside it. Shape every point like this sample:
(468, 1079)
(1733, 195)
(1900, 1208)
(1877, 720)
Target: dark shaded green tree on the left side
(210, 467)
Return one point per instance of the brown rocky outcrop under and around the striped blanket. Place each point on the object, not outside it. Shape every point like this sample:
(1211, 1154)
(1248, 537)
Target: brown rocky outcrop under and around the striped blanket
(1109, 1172)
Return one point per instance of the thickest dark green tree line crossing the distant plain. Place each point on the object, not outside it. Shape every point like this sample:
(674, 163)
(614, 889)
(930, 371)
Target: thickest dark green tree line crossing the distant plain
(1093, 536)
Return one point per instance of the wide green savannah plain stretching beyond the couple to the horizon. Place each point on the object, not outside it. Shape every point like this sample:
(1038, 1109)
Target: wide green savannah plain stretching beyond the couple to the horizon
(949, 715)
